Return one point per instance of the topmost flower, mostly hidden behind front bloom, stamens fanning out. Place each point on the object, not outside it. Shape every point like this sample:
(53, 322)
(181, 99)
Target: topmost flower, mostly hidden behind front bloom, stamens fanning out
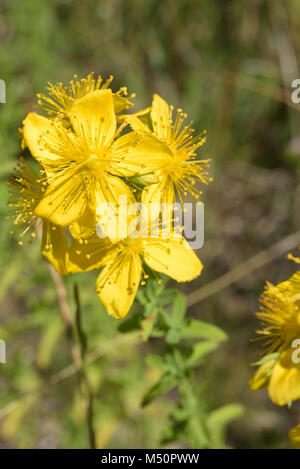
(60, 98)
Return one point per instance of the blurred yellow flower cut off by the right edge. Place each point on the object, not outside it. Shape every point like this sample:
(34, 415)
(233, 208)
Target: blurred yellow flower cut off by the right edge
(280, 316)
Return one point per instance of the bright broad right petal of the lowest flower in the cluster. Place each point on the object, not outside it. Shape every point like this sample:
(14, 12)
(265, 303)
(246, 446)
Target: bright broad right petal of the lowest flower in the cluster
(172, 257)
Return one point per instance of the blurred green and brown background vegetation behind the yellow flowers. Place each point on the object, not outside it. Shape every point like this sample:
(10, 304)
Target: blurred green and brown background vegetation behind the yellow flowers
(229, 65)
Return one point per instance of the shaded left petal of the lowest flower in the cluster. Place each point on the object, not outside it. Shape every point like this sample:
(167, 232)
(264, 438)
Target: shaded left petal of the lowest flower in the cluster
(91, 253)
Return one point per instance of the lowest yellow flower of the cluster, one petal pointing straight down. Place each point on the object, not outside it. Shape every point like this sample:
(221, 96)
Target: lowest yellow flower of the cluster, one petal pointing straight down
(118, 282)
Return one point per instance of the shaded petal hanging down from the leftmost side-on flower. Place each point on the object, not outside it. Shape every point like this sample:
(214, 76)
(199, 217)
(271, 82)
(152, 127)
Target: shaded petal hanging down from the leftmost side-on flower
(55, 247)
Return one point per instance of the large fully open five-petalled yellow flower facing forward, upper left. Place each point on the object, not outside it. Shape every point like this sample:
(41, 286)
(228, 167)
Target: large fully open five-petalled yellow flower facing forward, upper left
(79, 165)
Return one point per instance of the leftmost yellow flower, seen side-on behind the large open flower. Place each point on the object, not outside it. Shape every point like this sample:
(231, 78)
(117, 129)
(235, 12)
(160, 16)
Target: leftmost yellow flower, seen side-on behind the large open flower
(26, 191)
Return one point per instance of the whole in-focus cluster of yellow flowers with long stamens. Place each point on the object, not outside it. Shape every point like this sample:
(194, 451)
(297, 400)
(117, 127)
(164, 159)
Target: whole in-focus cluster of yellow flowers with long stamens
(90, 152)
